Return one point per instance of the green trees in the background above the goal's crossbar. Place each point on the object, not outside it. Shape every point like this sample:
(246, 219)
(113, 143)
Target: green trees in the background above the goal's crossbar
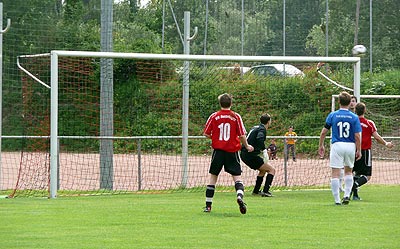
(225, 27)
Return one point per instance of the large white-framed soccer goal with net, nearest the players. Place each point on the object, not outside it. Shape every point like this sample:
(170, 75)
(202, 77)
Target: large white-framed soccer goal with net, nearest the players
(89, 130)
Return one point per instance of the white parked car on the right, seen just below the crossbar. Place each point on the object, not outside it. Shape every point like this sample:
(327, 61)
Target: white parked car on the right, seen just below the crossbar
(285, 70)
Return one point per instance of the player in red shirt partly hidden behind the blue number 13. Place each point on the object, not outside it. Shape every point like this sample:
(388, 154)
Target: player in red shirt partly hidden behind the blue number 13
(363, 168)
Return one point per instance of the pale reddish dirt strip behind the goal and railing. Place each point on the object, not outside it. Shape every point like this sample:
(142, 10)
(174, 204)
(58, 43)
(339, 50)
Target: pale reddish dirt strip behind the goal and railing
(163, 172)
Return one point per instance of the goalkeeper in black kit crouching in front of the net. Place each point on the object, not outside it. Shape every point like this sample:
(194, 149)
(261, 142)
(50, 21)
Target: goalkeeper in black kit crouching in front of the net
(256, 138)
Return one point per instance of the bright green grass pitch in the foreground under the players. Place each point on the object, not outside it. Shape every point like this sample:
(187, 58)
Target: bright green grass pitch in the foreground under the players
(291, 219)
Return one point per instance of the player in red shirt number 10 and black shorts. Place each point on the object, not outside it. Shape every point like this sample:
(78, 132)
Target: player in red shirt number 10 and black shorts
(226, 130)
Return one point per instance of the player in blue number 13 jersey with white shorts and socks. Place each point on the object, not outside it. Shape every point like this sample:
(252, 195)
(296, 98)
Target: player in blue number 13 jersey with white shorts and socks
(345, 146)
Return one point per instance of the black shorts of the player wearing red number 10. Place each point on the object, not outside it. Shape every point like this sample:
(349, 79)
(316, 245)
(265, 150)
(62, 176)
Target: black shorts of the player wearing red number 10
(229, 160)
